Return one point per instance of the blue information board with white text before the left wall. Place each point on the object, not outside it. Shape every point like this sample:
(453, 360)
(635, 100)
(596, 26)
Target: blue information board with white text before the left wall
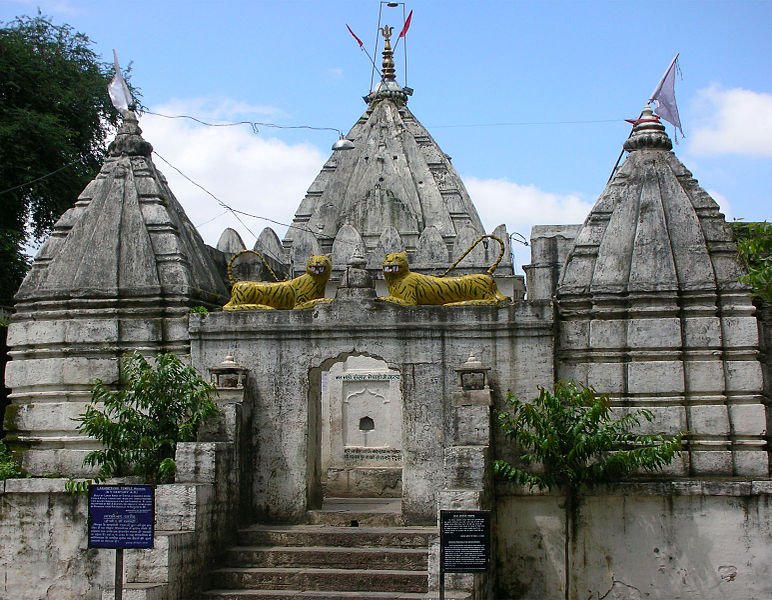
(121, 516)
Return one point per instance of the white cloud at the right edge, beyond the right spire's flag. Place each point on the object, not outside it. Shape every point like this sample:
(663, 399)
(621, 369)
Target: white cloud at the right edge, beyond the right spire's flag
(734, 121)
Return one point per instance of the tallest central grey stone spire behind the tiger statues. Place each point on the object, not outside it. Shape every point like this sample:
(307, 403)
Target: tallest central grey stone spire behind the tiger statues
(395, 190)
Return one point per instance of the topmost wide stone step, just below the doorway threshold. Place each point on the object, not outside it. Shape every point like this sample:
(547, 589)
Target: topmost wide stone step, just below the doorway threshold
(348, 537)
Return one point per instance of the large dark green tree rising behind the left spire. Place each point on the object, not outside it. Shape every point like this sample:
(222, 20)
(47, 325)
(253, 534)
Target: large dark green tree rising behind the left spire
(55, 115)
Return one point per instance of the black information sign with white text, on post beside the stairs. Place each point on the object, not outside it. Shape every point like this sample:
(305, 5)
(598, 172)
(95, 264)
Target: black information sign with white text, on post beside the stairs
(465, 543)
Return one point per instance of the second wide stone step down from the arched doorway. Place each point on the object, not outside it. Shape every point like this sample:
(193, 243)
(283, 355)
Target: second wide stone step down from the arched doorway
(414, 559)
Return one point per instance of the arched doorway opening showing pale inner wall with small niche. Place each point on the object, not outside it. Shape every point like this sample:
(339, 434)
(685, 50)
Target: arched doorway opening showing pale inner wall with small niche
(361, 429)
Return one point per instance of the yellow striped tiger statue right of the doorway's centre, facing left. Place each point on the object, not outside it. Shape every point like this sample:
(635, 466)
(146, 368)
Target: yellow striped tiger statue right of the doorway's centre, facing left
(409, 289)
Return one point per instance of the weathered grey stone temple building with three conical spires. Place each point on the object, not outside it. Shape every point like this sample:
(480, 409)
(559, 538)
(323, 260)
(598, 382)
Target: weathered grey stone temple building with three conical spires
(358, 397)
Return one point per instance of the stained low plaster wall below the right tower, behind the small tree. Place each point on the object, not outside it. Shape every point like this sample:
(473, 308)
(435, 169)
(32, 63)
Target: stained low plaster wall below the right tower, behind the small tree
(685, 539)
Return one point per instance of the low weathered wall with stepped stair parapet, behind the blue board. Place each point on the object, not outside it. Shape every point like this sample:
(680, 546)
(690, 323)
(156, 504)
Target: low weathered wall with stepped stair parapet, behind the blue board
(44, 552)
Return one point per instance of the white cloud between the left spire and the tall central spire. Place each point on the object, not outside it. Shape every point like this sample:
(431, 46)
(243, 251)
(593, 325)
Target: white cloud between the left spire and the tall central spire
(254, 173)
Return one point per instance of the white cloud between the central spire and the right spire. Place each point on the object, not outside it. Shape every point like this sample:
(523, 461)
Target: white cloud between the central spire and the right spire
(521, 207)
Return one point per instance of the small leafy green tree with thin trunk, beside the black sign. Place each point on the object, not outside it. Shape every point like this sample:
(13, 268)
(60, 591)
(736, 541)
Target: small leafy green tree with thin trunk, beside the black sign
(569, 439)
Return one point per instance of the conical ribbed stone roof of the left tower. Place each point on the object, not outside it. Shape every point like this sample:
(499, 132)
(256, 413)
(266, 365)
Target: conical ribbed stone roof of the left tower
(125, 236)
